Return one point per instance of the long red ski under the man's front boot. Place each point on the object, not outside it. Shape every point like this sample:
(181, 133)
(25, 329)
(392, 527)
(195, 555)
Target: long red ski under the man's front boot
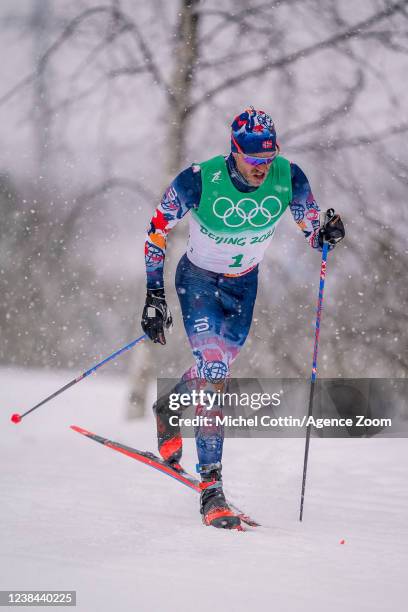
(156, 462)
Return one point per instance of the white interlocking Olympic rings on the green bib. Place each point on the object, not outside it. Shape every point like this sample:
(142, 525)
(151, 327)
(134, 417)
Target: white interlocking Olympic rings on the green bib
(247, 210)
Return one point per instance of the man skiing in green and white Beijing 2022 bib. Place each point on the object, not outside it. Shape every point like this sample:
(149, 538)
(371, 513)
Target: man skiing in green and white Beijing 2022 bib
(235, 204)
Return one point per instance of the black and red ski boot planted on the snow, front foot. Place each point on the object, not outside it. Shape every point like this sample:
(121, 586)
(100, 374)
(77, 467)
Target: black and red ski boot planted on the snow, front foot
(213, 505)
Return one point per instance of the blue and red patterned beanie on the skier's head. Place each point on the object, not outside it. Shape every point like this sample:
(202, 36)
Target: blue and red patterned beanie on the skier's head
(254, 132)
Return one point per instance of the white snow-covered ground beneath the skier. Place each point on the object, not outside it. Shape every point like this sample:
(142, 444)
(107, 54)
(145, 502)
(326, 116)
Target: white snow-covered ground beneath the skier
(75, 515)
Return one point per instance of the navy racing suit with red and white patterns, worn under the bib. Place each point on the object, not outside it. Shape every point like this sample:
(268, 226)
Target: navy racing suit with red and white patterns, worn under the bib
(217, 308)
